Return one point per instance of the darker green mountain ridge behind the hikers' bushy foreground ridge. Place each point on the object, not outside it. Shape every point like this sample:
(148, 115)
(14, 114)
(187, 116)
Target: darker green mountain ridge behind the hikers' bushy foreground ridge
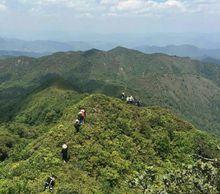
(190, 88)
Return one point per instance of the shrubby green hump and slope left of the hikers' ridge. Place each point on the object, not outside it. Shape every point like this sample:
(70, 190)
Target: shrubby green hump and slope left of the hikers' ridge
(41, 110)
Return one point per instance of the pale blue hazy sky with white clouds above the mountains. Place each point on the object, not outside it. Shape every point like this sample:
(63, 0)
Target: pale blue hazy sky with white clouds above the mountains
(51, 19)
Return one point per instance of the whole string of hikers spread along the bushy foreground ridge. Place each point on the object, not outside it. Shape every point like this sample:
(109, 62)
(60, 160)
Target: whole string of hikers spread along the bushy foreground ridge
(50, 182)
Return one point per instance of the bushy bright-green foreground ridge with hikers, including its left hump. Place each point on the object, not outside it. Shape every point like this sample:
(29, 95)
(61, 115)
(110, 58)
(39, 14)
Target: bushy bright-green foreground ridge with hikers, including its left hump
(120, 149)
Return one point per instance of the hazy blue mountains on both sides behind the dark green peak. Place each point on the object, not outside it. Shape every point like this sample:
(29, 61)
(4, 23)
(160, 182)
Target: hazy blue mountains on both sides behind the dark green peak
(38, 48)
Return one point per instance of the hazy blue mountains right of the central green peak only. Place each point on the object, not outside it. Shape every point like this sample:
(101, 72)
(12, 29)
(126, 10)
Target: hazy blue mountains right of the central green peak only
(182, 51)
